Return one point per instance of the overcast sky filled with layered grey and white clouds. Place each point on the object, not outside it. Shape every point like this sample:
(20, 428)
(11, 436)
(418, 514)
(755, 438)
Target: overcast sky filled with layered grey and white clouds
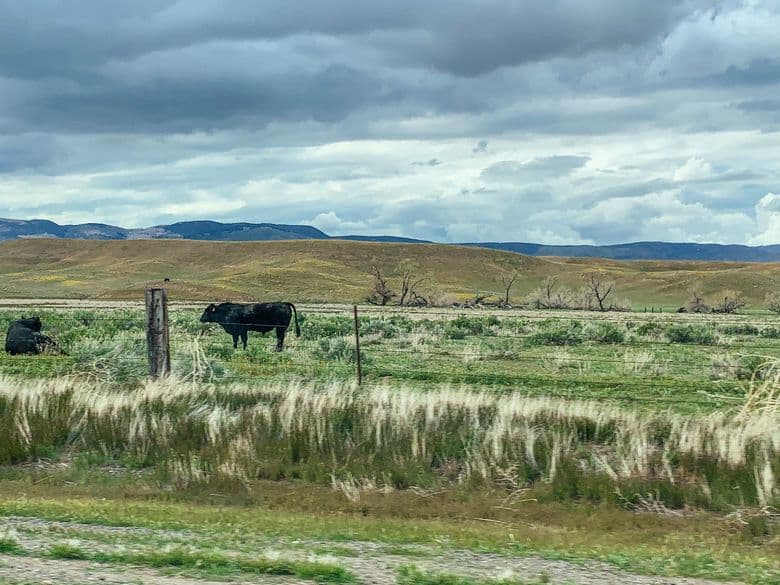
(560, 121)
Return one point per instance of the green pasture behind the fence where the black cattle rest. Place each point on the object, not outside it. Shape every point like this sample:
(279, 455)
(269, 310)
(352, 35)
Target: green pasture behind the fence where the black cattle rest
(680, 362)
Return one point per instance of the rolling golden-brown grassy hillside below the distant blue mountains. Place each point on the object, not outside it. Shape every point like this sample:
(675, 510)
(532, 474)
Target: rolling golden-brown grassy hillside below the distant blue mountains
(336, 271)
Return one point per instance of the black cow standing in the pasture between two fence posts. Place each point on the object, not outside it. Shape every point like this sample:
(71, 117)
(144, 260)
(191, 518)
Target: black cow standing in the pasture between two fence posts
(240, 318)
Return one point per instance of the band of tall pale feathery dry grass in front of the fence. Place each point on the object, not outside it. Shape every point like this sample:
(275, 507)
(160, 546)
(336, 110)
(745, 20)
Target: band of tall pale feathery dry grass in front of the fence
(395, 437)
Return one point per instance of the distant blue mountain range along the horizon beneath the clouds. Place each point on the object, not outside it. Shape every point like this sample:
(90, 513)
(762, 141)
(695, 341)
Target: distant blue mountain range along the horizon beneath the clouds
(212, 230)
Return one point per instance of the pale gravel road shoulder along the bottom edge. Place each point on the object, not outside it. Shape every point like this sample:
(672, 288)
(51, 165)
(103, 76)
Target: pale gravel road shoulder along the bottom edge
(372, 563)
